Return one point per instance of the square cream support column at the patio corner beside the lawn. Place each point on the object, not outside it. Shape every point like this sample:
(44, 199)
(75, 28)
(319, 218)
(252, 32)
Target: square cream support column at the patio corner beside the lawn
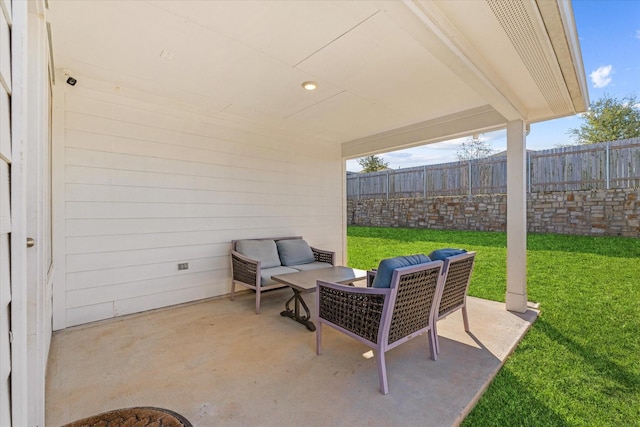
(516, 298)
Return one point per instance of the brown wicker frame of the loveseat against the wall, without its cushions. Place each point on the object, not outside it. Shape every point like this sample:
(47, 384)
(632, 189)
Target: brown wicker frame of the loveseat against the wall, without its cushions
(246, 271)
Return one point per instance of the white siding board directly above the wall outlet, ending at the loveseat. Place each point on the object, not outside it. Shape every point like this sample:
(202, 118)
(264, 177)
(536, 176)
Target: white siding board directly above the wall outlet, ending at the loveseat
(119, 259)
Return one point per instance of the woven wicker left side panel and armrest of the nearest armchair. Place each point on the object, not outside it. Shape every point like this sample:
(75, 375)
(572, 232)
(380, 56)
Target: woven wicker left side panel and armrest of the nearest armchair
(356, 310)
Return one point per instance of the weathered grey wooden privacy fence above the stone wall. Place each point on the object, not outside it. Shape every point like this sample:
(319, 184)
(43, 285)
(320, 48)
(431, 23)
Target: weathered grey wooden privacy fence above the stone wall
(601, 166)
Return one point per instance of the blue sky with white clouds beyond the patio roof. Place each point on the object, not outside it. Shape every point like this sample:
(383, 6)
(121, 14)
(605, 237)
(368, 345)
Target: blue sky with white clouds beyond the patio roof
(609, 33)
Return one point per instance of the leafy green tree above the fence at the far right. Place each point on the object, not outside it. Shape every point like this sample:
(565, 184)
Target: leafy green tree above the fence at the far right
(609, 119)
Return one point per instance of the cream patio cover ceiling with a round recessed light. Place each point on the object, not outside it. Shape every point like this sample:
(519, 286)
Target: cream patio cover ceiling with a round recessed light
(391, 74)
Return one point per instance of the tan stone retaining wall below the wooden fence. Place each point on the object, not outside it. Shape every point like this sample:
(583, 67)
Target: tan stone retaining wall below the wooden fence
(592, 212)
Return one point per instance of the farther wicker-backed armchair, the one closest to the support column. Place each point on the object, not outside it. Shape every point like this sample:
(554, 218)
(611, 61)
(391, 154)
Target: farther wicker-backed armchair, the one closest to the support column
(456, 274)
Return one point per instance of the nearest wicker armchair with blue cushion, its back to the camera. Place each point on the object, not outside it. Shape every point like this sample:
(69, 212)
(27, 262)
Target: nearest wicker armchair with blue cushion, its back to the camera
(383, 317)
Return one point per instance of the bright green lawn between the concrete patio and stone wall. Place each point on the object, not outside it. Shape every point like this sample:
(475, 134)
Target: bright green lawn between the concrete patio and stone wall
(579, 365)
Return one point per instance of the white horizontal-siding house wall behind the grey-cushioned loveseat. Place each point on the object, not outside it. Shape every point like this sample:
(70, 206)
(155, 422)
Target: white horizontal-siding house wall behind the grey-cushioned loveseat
(148, 185)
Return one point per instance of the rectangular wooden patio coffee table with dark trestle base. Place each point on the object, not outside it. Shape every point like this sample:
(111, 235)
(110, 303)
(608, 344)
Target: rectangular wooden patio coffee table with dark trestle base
(305, 281)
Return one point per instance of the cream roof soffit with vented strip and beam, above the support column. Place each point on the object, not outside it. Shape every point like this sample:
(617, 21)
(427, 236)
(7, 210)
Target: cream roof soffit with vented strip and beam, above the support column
(508, 54)
